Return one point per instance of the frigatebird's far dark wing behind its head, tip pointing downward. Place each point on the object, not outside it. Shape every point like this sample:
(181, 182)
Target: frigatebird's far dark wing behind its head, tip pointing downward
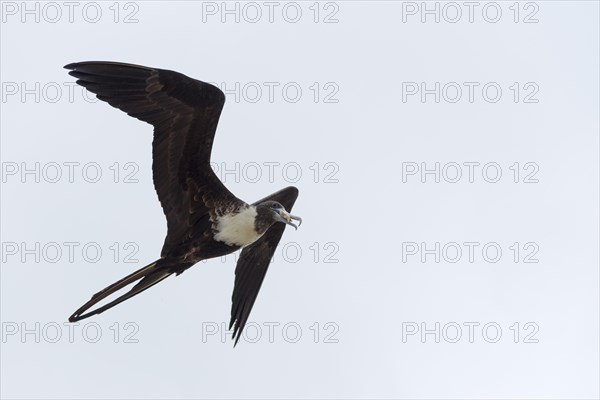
(253, 264)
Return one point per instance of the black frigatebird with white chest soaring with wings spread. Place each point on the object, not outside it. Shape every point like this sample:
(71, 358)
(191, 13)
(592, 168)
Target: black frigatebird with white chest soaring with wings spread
(204, 219)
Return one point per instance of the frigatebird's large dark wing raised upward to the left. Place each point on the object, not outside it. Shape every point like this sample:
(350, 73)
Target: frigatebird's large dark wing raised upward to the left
(185, 113)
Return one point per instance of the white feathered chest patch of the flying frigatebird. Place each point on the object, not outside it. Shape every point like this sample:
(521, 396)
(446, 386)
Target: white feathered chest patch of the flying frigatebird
(237, 229)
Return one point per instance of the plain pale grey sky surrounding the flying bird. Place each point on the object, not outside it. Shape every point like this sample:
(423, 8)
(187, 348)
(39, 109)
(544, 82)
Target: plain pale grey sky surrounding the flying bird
(448, 176)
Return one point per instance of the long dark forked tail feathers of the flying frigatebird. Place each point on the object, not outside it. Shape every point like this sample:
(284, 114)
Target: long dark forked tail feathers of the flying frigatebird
(148, 276)
